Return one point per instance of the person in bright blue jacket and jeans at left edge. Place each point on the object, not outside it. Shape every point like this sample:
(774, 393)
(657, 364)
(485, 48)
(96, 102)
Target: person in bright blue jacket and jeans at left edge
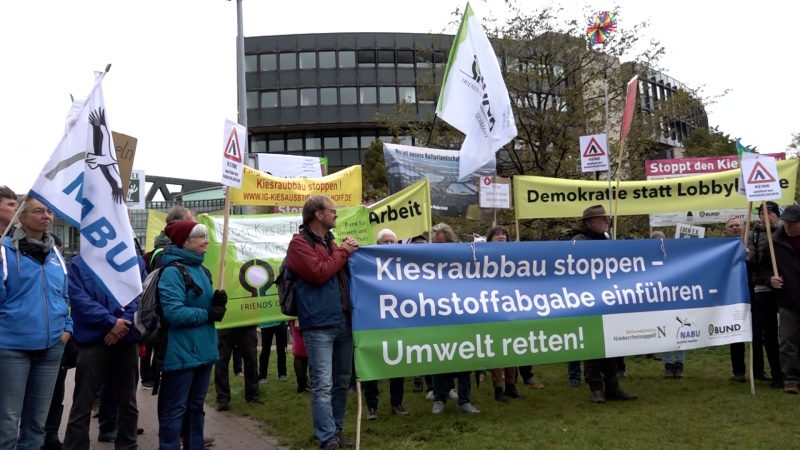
(34, 326)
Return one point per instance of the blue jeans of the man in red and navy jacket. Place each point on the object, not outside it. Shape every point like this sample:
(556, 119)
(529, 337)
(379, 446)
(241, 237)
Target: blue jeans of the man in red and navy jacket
(330, 358)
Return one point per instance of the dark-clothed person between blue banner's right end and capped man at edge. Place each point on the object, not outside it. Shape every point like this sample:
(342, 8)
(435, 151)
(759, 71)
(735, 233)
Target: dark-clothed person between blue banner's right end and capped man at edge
(764, 302)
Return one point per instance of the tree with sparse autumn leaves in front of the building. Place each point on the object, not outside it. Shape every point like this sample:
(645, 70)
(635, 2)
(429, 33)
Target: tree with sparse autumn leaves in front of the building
(557, 83)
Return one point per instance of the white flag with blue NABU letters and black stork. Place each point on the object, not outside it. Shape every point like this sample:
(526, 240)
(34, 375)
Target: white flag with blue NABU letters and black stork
(82, 183)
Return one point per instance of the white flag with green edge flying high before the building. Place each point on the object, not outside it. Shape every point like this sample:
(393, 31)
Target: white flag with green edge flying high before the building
(474, 98)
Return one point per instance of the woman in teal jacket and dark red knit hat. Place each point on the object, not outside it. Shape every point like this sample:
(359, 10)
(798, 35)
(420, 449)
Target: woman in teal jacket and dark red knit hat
(190, 313)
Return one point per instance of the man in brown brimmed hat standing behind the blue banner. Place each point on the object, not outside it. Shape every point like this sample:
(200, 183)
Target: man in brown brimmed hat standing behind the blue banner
(601, 374)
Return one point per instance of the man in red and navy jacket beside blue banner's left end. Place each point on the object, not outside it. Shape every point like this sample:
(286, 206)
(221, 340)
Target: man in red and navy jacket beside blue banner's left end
(323, 307)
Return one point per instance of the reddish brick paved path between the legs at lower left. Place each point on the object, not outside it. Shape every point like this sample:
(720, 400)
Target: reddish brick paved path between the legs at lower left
(231, 432)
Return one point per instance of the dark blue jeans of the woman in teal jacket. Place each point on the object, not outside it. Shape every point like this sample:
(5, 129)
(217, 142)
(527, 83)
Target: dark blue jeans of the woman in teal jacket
(180, 408)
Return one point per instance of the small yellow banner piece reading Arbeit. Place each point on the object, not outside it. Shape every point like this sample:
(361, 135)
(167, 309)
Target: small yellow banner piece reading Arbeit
(407, 212)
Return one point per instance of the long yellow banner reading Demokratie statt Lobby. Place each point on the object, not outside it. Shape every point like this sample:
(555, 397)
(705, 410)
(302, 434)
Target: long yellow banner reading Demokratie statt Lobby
(541, 197)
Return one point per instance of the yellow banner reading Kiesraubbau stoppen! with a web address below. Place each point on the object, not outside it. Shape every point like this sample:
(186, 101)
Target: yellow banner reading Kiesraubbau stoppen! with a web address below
(260, 188)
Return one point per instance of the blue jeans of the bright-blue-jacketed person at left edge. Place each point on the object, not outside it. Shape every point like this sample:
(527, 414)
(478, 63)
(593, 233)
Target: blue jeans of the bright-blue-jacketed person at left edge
(28, 379)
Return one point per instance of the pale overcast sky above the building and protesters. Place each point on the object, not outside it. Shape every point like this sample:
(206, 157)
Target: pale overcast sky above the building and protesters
(173, 80)
